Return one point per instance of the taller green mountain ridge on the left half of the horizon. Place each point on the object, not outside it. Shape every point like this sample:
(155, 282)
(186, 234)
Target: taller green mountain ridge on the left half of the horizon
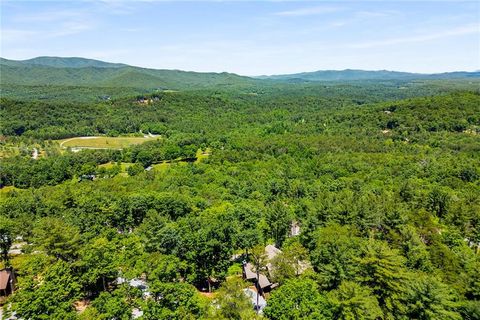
(94, 73)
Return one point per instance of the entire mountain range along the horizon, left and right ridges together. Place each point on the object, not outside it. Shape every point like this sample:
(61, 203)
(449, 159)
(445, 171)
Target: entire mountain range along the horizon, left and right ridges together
(95, 73)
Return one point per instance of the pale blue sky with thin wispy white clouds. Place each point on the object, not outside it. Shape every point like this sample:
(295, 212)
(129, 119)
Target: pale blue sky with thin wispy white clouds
(249, 38)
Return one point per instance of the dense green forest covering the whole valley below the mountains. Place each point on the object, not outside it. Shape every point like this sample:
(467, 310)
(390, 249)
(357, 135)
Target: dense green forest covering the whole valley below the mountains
(383, 178)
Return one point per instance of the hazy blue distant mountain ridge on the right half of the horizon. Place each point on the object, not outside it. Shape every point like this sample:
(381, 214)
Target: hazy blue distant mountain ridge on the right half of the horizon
(350, 74)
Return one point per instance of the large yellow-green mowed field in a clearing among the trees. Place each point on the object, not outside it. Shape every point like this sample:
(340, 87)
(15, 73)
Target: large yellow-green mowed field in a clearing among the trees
(104, 142)
